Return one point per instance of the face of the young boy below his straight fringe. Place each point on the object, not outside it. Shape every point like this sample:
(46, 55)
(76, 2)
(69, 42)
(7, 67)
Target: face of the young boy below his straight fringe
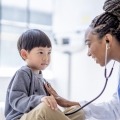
(38, 58)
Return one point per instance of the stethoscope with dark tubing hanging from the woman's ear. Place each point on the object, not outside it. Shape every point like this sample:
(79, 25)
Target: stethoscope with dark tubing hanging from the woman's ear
(106, 81)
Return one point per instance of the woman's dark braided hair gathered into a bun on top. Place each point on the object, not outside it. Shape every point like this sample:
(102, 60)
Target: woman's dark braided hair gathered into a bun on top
(109, 21)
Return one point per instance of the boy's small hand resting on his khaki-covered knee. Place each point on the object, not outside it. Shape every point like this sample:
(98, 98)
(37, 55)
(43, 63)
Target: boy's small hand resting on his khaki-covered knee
(50, 101)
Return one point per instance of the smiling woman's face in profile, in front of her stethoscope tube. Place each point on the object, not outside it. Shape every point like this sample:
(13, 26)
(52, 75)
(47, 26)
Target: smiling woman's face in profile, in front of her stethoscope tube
(96, 46)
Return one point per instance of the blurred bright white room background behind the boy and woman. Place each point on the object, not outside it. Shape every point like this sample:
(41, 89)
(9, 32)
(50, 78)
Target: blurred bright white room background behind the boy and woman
(72, 73)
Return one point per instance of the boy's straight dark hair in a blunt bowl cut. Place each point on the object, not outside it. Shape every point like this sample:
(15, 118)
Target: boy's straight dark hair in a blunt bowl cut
(33, 38)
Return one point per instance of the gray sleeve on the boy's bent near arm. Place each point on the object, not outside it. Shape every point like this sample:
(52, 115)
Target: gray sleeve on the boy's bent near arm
(18, 94)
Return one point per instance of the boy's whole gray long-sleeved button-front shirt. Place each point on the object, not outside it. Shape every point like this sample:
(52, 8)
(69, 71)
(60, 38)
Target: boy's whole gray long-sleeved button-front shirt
(24, 93)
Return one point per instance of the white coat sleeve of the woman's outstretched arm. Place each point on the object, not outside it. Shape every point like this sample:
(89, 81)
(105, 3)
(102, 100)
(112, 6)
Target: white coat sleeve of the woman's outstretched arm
(103, 111)
